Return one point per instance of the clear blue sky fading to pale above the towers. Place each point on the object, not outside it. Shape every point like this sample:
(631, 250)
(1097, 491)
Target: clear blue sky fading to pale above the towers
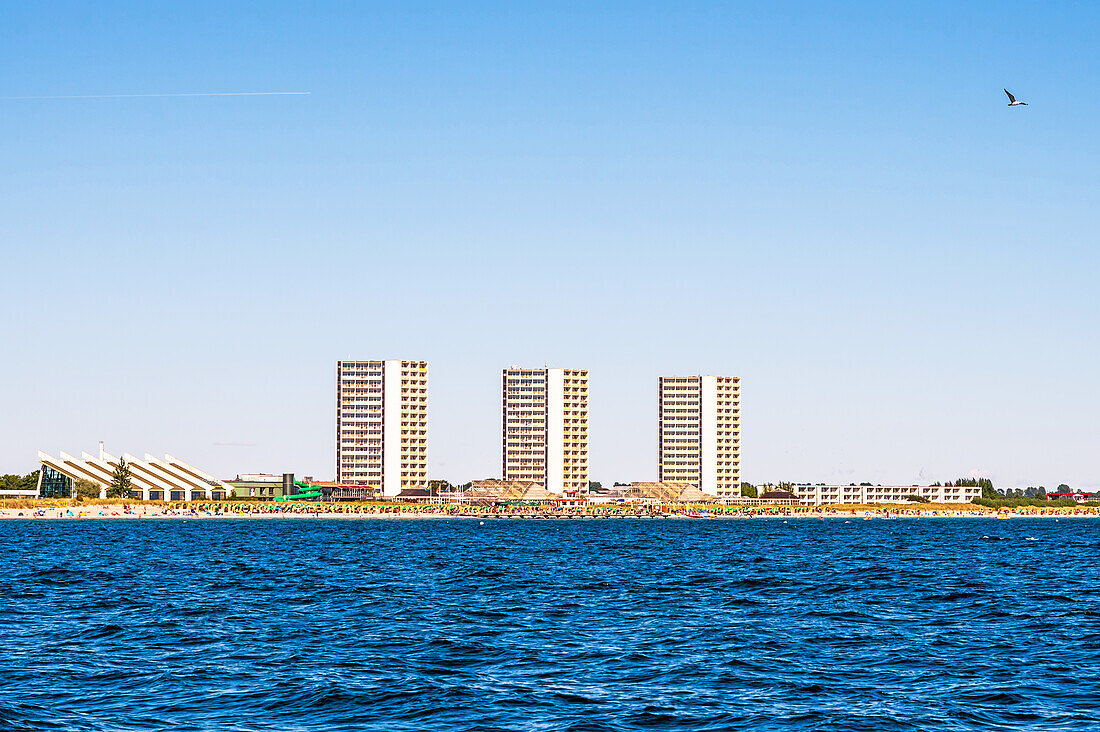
(829, 200)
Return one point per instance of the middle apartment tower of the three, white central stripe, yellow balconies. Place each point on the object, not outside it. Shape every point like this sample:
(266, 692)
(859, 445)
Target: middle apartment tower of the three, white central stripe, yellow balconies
(545, 427)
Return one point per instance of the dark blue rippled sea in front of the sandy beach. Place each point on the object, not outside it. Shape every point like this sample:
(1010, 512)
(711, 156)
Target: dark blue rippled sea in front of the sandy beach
(804, 625)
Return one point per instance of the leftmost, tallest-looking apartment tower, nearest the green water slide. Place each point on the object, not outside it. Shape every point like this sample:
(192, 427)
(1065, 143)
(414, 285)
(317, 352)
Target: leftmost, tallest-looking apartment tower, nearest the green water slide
(382, 424)
